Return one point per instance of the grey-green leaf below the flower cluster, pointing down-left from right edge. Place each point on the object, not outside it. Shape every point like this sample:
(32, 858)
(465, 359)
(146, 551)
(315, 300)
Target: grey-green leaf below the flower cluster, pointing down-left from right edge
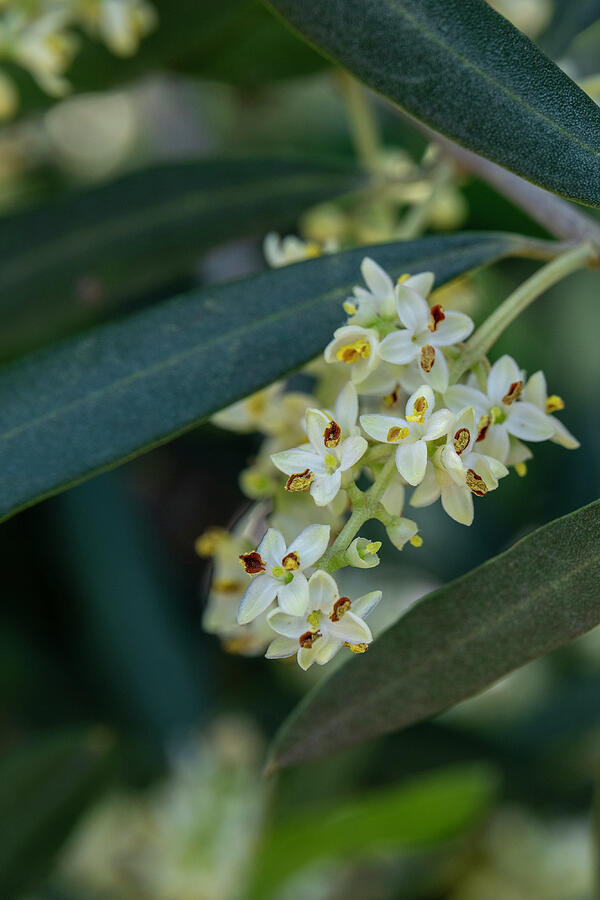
(538, 595)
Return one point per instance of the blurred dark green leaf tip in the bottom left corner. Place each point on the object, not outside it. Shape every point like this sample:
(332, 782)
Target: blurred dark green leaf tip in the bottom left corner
(44, 788)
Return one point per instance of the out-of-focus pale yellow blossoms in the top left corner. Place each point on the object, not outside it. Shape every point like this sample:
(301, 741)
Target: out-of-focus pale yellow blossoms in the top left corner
(39, 36)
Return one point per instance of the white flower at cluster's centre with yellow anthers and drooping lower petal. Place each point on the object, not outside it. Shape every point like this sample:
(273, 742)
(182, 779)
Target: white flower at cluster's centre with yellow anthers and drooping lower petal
(410, 435)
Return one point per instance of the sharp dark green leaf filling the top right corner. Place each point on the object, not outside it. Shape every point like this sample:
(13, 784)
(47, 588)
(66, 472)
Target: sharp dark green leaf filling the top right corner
(467, 72)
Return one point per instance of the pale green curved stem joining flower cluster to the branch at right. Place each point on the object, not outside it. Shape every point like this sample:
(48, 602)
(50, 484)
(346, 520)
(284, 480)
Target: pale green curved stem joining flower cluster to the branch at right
(479, 344)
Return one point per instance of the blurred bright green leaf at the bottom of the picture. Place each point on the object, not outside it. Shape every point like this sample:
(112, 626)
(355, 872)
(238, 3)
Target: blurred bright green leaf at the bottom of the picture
(431, 808)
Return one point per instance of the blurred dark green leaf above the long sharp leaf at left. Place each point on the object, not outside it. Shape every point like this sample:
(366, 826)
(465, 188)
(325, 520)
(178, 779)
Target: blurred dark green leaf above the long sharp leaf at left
(75, 259)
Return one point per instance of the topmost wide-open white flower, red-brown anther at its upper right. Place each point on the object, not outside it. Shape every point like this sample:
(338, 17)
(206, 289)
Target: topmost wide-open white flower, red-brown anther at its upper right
(425, 331)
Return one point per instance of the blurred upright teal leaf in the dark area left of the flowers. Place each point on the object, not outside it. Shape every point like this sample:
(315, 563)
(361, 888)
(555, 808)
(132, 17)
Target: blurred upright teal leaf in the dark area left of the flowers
(133, 642)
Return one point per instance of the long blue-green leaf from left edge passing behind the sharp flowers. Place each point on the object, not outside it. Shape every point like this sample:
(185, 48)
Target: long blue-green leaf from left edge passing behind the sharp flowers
(96, 400)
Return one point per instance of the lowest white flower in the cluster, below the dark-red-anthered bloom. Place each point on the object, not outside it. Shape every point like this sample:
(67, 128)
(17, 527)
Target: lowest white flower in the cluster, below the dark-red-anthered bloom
(328, 622)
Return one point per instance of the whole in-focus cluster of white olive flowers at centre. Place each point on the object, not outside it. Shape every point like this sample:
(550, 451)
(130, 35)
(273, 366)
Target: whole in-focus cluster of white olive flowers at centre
(393, 407)
